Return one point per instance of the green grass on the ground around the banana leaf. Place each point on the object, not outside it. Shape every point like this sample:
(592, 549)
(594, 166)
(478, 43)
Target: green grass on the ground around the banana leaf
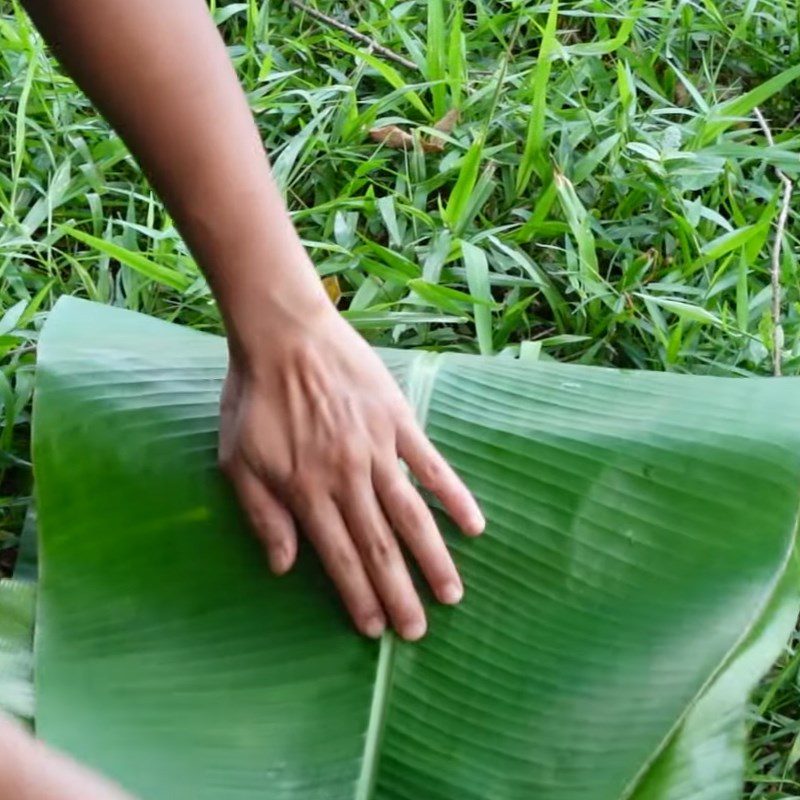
(607, 196)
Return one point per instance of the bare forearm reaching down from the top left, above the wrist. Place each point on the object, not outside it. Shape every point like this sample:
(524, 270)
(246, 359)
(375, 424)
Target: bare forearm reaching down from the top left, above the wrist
(161, 75)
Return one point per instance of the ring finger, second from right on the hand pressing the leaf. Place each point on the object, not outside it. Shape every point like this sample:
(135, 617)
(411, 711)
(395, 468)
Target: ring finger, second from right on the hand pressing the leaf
(414, 523)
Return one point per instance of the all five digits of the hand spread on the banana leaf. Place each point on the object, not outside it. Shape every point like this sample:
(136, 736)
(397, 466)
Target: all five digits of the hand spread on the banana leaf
(350, 507)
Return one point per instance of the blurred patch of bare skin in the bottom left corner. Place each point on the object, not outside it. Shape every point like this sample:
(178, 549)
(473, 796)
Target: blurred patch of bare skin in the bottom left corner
(29, 771)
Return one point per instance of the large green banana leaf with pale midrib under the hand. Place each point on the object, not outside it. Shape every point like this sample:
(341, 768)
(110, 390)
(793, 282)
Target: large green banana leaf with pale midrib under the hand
(638, 574)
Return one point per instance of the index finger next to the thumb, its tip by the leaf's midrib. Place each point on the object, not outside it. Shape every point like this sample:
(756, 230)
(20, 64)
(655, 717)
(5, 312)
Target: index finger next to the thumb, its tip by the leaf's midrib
(323, 525)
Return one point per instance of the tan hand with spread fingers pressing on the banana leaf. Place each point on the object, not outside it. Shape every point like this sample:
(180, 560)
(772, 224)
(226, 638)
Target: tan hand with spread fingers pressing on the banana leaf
(311, 431)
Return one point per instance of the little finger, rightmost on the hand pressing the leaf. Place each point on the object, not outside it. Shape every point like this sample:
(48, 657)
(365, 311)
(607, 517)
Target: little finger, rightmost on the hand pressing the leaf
(437, 476)
